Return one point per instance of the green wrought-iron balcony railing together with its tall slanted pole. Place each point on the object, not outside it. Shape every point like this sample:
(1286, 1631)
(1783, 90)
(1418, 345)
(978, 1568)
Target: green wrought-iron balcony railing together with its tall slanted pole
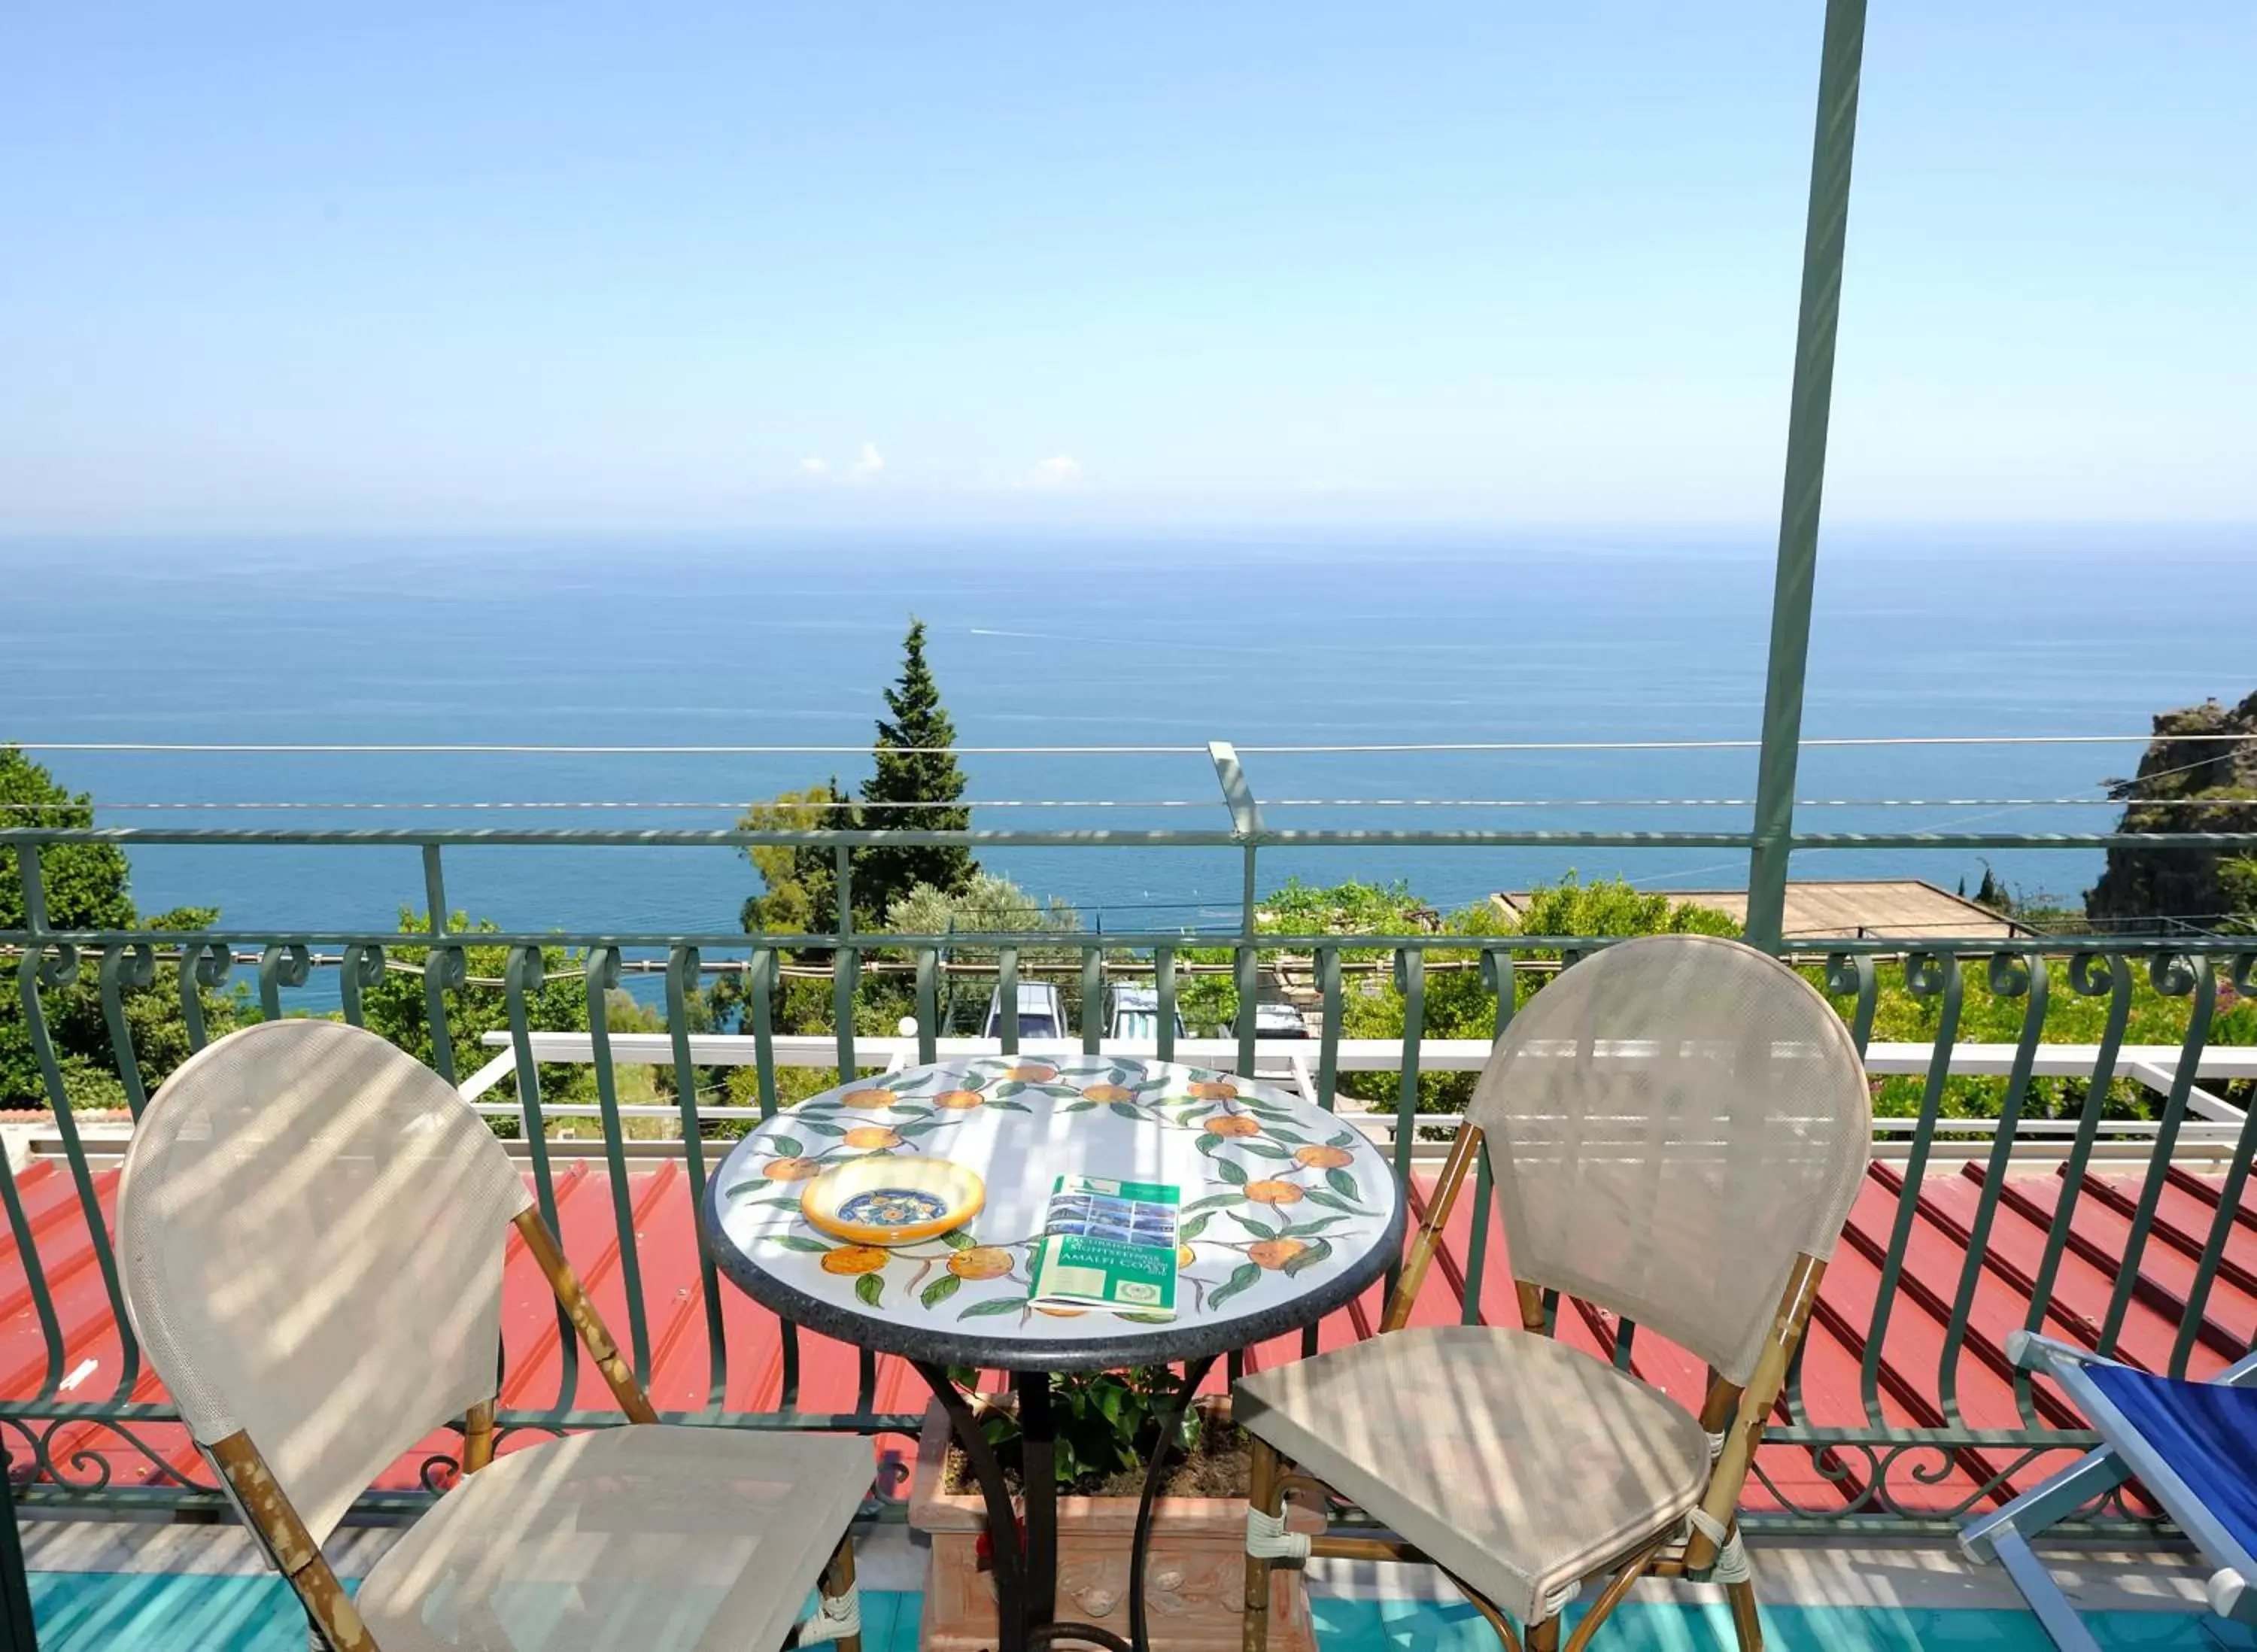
(1868, 1468)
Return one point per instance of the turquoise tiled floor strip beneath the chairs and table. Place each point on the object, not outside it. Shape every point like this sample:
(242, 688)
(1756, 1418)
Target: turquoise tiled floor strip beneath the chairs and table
(96, 1613)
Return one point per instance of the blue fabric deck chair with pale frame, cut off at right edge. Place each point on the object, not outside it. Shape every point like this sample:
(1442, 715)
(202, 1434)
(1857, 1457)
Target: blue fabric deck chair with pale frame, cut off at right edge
(2190, 1445)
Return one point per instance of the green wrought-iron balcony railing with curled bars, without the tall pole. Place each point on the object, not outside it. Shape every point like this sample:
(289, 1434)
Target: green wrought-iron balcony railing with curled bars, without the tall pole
(1877, 1466)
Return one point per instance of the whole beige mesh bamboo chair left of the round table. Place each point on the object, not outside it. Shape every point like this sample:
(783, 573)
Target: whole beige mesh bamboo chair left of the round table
(313, 1231)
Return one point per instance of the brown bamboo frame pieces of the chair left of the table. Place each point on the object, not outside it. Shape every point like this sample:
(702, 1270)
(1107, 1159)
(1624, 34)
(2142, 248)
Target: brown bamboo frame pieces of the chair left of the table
(299, 1558)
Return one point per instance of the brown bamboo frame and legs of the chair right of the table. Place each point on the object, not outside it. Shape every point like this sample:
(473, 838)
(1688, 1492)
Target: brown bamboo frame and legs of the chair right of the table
(1732, 1412)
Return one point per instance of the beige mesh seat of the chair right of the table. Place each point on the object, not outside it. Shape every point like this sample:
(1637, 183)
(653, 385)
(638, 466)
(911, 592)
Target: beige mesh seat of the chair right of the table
(1520, 1466)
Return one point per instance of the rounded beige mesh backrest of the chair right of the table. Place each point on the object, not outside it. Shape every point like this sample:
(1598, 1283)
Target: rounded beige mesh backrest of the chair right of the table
(1671, 1123)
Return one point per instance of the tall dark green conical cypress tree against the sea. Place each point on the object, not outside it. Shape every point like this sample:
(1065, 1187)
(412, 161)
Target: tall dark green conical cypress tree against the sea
(915, 764)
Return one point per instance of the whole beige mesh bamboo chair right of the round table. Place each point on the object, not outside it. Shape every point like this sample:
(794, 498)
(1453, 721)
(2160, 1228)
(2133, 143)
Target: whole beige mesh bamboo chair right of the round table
(1678, 1130)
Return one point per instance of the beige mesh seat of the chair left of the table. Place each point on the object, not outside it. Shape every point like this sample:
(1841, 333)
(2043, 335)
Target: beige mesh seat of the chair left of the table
(649, 1540)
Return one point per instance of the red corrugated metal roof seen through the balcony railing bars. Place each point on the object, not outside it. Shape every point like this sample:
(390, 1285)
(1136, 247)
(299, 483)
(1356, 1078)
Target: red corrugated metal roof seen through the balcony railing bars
(1908, 1385)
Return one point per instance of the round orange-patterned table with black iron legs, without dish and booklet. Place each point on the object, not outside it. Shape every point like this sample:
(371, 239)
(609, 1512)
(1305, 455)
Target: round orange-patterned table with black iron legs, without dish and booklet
(1285, 1215)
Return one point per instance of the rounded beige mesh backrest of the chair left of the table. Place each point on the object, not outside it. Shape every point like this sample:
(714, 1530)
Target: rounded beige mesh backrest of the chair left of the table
(313, 1231)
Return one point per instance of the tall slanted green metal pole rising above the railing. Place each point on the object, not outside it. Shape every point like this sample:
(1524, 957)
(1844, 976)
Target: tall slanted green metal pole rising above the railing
(1807, 468)
